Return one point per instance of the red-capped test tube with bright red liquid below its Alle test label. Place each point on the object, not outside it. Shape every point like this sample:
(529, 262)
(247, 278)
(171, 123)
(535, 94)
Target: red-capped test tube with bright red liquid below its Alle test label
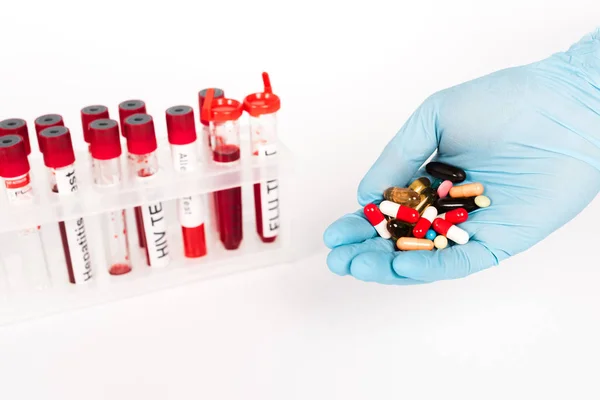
(182, 137)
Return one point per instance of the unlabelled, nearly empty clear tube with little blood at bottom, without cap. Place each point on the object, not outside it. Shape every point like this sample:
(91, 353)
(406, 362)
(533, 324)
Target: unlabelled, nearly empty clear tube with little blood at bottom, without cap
(107, 173)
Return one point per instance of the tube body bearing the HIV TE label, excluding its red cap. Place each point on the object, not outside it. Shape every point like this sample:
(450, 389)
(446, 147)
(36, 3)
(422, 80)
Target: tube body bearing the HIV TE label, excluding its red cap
(153, 222)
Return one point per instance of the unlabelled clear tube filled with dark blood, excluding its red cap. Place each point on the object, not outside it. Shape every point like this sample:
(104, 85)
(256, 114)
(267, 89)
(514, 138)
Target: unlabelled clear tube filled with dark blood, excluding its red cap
(225, 143)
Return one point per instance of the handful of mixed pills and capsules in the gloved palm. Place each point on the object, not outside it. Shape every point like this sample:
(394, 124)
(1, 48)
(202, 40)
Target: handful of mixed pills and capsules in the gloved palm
(427, 214)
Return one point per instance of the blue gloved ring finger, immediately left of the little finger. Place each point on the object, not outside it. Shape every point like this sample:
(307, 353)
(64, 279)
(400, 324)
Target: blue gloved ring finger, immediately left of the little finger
(376, 266)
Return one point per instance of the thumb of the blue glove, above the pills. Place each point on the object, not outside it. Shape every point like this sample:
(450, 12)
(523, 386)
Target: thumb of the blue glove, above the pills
(404, 154)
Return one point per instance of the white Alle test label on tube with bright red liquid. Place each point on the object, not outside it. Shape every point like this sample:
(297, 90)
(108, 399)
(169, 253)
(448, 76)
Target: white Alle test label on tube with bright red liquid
(189, 208)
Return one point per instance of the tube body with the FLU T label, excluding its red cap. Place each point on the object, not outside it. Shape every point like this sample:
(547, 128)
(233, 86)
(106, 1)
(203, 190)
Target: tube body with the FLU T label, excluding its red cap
(263, 135)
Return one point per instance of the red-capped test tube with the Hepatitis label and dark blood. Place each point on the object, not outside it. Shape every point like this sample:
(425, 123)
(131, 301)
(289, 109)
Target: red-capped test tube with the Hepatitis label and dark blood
(59, 158)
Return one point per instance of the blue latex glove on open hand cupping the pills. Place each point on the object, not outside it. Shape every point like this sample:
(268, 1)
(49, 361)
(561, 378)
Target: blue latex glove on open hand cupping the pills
(530, 134)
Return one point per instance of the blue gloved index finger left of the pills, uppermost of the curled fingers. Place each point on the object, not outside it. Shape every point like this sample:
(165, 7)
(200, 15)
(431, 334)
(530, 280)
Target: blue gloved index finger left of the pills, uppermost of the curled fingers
(351, 228)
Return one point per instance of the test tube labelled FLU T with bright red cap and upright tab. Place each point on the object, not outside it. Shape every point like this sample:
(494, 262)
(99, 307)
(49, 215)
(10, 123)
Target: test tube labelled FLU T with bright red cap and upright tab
(262, 108)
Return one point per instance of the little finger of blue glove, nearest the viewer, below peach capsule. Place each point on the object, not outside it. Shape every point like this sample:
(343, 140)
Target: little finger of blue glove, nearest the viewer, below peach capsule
(450, 263)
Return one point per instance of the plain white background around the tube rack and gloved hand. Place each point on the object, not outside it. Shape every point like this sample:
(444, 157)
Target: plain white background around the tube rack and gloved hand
(349, 74)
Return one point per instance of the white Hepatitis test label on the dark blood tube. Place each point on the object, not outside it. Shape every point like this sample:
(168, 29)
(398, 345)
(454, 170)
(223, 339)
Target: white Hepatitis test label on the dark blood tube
(66, 183)
